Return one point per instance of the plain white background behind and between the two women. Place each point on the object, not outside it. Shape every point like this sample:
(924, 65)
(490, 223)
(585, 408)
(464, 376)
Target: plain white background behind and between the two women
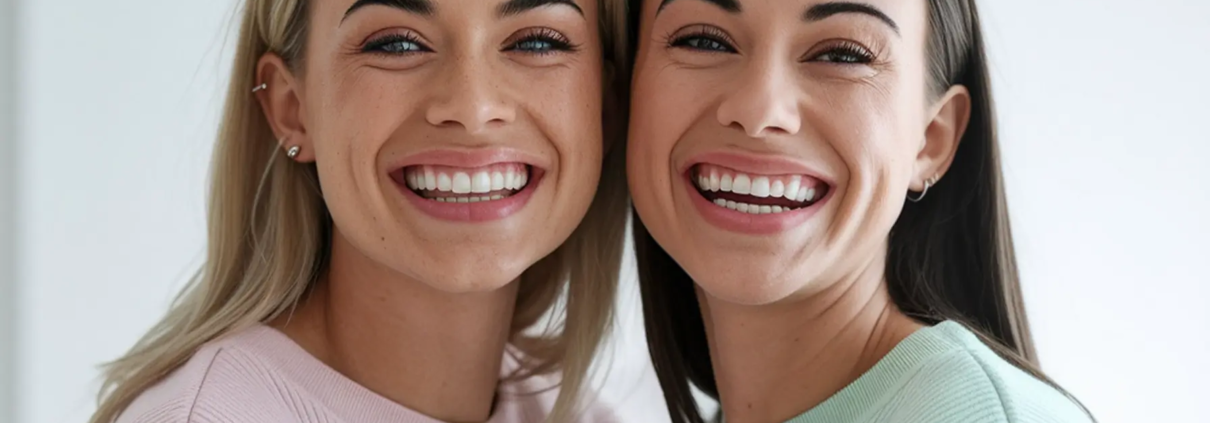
(1103, 106)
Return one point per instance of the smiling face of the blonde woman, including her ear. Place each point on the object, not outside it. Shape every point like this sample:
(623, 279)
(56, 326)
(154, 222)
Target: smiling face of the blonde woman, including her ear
(458, 142)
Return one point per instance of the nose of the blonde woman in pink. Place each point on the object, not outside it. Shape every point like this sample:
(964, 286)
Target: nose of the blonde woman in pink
(470, 96)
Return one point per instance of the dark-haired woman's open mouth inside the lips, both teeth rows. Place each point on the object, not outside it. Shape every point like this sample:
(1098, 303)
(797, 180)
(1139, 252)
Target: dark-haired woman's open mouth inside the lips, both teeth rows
(757, 194)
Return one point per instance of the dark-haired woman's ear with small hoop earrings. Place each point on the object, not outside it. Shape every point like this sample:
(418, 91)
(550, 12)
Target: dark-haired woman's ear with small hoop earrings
(949, 121)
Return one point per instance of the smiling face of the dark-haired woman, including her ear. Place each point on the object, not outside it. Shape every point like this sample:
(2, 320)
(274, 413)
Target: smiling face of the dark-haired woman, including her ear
(773, 143)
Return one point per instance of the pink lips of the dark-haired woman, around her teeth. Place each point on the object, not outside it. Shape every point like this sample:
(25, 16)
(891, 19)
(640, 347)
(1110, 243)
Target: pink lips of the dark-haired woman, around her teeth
(745, 223)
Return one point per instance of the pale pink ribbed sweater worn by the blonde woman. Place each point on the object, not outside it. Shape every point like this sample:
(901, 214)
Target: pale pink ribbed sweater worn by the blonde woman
(261, 375)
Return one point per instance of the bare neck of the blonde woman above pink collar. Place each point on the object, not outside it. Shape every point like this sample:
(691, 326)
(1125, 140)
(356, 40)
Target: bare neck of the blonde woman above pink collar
(434, 352)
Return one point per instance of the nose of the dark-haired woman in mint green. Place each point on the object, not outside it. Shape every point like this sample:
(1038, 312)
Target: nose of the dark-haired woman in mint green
(765, 103)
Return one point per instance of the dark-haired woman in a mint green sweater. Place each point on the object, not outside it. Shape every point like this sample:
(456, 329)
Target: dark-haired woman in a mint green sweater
(823, 231)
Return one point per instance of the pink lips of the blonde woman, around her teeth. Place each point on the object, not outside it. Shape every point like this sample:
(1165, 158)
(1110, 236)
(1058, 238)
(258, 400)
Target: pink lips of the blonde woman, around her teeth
(481, 212)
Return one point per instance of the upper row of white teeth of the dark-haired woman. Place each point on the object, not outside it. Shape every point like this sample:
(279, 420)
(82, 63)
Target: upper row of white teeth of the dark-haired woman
(793, 188)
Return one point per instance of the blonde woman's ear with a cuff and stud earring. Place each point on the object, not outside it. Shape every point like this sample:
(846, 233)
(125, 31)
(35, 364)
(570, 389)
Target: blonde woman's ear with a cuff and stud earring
(281, 101)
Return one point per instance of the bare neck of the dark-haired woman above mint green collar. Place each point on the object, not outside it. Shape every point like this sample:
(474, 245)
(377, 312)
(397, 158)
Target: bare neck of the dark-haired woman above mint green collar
(809, 349)
